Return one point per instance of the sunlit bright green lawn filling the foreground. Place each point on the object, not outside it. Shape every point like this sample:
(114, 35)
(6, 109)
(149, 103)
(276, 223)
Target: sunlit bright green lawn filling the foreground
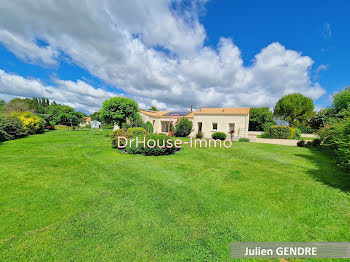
(68, 196)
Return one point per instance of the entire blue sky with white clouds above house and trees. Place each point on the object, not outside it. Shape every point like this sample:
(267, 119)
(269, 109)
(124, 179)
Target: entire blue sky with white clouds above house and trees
(173, 54)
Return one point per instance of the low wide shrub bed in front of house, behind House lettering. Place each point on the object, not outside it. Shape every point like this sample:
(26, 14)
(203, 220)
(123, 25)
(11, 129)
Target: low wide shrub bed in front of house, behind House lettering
(155, 151)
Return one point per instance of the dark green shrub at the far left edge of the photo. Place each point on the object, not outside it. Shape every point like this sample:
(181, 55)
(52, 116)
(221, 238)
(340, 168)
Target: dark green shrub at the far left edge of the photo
(11, 128)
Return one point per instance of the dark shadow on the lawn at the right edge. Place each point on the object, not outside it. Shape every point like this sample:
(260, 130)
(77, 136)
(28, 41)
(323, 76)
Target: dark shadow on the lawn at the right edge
(327, 171)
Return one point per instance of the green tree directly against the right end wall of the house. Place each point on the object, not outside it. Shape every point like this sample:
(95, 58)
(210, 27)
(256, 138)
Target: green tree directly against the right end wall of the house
(260, 118)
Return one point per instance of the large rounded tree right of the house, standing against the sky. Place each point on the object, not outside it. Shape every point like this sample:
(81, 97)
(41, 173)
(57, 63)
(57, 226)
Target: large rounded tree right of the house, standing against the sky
(294, 108)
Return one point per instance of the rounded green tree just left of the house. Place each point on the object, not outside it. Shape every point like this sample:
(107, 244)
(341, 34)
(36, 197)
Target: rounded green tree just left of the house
(117, 110)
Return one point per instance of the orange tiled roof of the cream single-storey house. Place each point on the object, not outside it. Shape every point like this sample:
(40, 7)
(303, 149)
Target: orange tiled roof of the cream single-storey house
(202, 111)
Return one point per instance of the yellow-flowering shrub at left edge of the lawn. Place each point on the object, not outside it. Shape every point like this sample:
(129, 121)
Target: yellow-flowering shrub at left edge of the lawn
(32, 124)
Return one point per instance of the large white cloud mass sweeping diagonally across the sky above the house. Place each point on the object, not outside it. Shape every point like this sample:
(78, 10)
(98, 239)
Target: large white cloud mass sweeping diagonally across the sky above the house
(154, 53)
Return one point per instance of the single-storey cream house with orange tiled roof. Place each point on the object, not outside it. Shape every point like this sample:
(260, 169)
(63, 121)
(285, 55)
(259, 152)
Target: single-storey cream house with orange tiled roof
(207, 120)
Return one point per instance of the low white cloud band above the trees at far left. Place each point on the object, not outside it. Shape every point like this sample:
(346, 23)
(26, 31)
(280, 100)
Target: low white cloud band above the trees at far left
(78, 94)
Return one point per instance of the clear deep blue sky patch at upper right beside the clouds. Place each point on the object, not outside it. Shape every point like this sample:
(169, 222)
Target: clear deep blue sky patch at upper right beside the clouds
(319, 29)
